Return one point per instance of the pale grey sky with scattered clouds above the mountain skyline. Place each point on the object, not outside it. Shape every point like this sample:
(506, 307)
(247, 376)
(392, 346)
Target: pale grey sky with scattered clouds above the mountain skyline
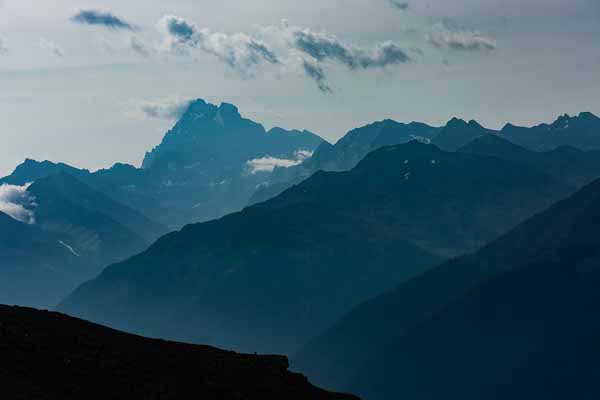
(92, 82)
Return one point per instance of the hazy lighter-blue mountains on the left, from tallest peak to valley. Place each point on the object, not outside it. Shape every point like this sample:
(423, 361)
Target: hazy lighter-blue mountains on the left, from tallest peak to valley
(208, 165)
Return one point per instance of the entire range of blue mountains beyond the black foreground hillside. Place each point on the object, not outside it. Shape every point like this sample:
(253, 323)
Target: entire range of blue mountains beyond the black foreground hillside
(351, 255)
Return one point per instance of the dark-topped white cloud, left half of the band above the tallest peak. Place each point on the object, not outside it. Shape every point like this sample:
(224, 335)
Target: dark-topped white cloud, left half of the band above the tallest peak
(239, 51)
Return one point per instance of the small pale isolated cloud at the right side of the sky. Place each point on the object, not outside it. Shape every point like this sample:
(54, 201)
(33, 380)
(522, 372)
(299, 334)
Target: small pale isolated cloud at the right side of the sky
(448, 35)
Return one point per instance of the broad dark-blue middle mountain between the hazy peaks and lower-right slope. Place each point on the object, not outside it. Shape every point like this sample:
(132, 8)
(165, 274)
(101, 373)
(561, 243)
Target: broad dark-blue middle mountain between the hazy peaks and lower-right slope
(277, 273)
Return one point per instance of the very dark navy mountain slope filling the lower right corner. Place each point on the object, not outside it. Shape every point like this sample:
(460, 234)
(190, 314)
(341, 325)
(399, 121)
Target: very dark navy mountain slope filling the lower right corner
(517, 319)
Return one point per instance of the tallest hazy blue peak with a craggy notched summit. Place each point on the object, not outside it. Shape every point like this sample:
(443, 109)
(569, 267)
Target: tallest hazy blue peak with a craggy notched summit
(204, 166)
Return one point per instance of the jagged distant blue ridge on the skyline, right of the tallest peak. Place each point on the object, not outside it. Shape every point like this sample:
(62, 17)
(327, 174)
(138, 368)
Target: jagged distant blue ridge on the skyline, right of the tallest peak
(581, 132)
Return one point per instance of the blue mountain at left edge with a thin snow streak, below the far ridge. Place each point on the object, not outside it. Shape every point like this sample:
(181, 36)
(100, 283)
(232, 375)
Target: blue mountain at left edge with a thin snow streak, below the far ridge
(74, 232)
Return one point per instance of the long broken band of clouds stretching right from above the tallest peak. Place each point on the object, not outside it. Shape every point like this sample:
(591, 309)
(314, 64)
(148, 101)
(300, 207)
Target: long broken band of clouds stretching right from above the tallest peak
(303, 49)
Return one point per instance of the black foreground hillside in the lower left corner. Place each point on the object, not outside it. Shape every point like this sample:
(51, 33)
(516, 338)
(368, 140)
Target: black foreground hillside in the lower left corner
(46, 355)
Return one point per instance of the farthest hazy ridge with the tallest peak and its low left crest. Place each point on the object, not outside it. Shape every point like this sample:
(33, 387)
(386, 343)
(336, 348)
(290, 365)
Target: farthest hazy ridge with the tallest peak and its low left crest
(207, 166)
